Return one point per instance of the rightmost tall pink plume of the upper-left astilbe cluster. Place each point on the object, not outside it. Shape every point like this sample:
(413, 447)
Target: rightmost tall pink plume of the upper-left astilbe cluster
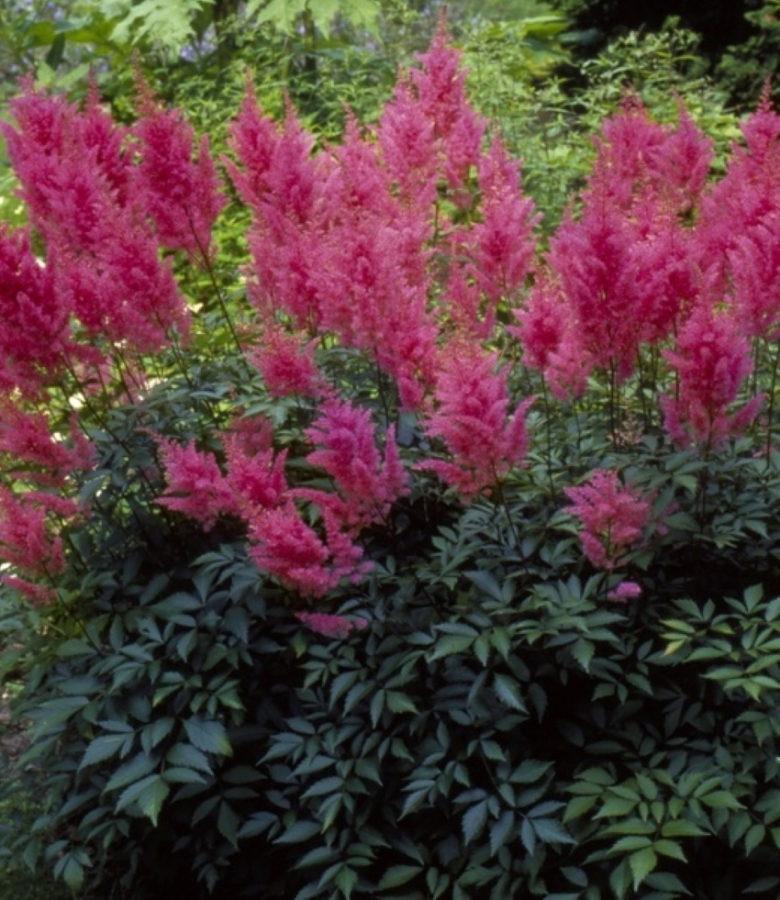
(179, 191)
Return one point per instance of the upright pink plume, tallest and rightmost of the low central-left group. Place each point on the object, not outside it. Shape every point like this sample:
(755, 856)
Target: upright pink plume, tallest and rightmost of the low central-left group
(346, 449)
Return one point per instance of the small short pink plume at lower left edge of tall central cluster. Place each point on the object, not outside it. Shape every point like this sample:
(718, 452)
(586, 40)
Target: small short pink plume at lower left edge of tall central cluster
(287, 364)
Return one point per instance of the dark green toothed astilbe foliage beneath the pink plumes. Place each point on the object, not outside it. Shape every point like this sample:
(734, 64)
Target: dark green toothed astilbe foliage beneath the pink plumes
(499, 728)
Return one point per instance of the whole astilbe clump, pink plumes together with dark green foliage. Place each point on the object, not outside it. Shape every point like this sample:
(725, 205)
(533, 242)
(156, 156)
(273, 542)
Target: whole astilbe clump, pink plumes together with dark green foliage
(372, 400)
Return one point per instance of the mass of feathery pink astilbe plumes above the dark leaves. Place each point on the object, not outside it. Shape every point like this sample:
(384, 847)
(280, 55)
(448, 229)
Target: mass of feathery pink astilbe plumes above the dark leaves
(407, 244)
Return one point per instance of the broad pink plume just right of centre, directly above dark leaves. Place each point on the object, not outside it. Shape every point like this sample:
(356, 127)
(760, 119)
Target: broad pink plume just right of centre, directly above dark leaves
(471, 417)
